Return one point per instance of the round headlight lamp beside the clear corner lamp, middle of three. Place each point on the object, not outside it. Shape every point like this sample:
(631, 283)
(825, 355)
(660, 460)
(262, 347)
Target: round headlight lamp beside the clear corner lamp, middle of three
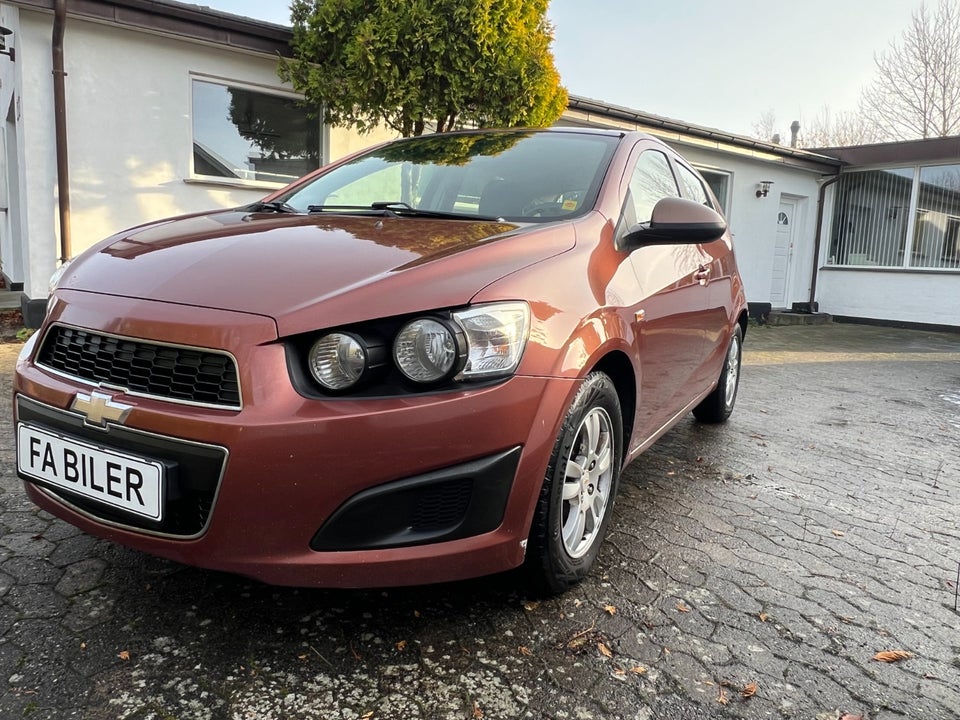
(428, 350)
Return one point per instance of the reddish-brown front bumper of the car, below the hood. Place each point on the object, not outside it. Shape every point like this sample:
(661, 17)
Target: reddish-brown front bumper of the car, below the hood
(311, 492)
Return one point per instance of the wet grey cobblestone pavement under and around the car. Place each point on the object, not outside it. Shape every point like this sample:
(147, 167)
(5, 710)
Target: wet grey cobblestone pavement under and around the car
(776, 554)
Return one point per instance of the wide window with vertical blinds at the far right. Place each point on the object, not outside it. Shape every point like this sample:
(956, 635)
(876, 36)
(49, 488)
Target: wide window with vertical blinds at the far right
(898, 218)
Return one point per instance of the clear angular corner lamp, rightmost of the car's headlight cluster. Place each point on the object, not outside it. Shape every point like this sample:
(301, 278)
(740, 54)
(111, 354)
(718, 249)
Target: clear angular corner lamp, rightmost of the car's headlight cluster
(496, 337)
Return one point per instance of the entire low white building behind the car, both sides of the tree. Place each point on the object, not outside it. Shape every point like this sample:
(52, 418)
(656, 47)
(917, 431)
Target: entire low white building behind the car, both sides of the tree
(172, 108)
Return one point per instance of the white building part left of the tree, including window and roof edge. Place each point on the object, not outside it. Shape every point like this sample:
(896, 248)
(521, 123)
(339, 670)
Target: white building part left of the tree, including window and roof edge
(169, 108)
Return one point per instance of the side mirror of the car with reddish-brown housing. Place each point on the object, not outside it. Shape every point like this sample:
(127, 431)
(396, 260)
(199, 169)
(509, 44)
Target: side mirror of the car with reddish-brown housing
(676, 221)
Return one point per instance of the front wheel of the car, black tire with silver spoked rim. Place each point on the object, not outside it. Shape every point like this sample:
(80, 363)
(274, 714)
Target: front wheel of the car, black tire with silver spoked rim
(576, 499)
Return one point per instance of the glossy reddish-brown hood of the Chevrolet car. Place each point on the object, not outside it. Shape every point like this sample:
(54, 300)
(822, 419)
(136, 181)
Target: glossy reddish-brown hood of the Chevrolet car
(310, 271)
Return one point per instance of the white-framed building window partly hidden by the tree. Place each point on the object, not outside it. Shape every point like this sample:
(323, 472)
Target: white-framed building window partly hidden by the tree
(251, 136)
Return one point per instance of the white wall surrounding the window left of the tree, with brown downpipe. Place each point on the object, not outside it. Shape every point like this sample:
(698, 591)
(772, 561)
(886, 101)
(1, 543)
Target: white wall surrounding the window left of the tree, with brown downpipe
(129, 131)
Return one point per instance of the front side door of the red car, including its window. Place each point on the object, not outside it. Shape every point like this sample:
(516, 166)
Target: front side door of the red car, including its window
(669, 323)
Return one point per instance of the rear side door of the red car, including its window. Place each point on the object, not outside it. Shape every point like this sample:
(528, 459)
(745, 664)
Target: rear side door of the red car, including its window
(716, 276)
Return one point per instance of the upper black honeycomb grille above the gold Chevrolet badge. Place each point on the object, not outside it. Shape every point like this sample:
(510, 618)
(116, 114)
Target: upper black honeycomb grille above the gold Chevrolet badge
(167, 372)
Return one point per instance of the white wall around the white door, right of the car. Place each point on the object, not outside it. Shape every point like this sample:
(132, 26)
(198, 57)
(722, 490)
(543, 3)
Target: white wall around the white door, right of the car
(753, 220)
